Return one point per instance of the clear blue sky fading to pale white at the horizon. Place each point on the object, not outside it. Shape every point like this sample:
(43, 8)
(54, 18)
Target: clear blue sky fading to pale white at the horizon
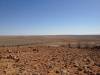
(49, 17)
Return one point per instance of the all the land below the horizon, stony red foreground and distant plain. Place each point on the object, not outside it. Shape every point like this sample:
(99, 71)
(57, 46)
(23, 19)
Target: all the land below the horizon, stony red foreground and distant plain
(49, 55)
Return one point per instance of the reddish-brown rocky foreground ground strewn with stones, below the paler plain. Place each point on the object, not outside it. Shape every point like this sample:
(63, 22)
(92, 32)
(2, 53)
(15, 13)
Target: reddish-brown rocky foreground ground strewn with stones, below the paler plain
(49, 60)
